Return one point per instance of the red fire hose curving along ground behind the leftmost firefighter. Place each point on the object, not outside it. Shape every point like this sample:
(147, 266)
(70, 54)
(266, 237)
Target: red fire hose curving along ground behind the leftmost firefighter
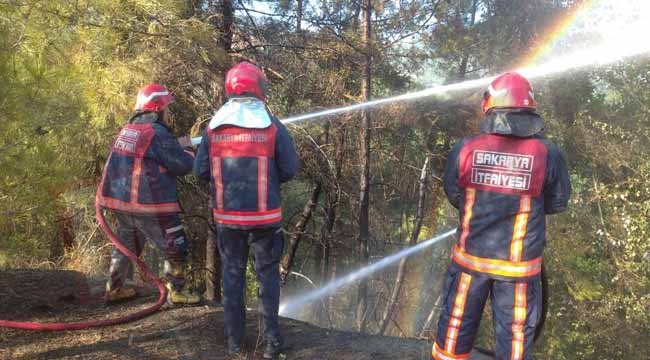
(104, 322)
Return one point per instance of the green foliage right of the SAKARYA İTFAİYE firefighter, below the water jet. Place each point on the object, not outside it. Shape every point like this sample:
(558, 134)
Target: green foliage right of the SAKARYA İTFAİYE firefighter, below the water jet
(598, 252)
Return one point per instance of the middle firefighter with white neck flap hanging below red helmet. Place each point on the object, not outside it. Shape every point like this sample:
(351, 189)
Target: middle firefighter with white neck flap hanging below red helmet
(245, 154)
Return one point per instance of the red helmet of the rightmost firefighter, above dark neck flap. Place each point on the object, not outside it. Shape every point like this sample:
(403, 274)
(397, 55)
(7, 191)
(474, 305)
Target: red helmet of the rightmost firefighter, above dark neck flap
(509, 90)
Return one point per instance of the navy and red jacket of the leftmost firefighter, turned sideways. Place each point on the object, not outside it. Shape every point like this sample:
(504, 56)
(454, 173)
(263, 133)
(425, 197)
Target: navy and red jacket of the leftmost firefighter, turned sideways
(141, 170)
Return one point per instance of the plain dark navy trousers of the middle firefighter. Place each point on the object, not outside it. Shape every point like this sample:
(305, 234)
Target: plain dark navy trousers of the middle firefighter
(266, 246)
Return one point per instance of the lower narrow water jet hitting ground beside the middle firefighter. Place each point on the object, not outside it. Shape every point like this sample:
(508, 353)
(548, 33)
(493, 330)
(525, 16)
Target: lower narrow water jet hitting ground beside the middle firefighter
(291, 305)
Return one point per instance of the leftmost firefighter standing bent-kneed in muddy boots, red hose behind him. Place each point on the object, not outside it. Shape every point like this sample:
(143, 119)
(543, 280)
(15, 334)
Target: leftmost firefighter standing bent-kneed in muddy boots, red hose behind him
(139, 186)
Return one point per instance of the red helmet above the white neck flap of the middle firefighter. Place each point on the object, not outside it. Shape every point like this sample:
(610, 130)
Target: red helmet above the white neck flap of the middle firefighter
(246, 78)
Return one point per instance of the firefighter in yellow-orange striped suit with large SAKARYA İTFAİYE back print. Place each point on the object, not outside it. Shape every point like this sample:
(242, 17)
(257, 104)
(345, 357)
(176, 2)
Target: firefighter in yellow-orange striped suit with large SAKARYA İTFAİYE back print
(503, 182)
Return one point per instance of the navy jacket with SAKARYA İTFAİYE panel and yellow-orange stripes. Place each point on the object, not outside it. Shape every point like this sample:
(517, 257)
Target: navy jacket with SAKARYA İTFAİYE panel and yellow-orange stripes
(504, 181)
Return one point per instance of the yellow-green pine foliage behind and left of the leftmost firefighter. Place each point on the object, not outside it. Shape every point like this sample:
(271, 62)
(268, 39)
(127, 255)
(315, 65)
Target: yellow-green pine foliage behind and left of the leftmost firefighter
(70, 72)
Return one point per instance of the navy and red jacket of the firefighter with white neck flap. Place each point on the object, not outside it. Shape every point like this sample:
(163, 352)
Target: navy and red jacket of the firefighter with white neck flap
(245, 167)
